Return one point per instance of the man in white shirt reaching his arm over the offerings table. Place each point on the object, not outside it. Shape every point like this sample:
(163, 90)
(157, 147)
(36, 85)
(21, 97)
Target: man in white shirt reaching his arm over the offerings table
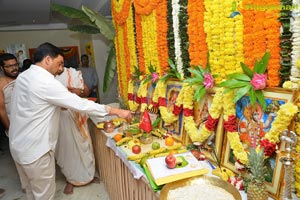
(36, 102)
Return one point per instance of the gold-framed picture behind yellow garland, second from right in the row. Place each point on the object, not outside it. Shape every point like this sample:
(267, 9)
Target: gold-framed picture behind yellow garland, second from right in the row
(201, 111)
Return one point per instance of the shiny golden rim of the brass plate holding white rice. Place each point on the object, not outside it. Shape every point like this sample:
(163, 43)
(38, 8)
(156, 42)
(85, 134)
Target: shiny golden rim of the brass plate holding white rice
(200, 180)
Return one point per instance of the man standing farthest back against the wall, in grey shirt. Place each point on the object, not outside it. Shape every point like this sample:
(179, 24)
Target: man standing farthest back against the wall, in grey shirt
(90, 76)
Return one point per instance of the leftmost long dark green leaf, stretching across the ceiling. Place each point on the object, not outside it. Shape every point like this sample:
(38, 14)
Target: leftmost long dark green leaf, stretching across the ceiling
(72, 13)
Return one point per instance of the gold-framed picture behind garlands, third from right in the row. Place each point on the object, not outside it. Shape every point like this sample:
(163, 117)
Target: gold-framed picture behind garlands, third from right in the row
(172, 92)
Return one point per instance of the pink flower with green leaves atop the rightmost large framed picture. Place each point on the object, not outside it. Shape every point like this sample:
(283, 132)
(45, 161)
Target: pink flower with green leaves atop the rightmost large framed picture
(251, 82)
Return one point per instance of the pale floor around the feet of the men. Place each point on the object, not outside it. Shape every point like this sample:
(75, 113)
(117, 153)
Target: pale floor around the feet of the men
(9, 180)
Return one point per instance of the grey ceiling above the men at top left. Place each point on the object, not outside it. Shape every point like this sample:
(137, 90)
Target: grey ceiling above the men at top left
(30, 13)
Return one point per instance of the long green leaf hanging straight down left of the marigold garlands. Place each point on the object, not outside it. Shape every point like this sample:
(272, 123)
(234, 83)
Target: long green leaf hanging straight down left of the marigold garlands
(110, 68)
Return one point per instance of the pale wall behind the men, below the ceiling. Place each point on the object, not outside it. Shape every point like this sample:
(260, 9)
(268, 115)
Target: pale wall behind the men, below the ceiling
(32, 39)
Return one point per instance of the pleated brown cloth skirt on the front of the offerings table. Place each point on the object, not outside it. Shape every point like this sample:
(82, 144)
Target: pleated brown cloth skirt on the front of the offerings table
(118, 180)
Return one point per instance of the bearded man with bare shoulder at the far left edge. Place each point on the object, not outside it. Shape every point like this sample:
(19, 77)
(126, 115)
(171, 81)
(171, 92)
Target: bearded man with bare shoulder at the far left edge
(10, 69)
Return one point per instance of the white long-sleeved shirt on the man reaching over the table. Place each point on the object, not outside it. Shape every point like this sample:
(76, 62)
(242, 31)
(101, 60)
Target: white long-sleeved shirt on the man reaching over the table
(35, 110)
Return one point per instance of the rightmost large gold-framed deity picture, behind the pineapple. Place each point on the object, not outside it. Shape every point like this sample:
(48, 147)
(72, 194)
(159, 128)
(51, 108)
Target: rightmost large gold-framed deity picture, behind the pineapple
(253, 123)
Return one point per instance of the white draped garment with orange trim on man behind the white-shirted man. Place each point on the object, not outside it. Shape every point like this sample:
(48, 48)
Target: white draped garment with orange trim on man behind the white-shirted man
(74, 150)
